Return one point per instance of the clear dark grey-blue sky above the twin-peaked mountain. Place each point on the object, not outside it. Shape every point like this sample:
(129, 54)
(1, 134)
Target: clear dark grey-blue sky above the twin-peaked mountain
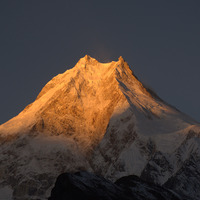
(160, 39)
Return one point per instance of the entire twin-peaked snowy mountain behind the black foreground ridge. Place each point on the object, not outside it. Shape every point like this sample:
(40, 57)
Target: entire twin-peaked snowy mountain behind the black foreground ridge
(99, 117)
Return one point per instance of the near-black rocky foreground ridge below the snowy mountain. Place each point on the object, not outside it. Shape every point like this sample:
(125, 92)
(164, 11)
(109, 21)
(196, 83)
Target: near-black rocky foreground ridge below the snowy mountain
(87, 186)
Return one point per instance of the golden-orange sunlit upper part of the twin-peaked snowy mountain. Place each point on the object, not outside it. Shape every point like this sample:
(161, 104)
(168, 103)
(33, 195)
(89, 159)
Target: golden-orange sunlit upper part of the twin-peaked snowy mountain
(80, 102)
